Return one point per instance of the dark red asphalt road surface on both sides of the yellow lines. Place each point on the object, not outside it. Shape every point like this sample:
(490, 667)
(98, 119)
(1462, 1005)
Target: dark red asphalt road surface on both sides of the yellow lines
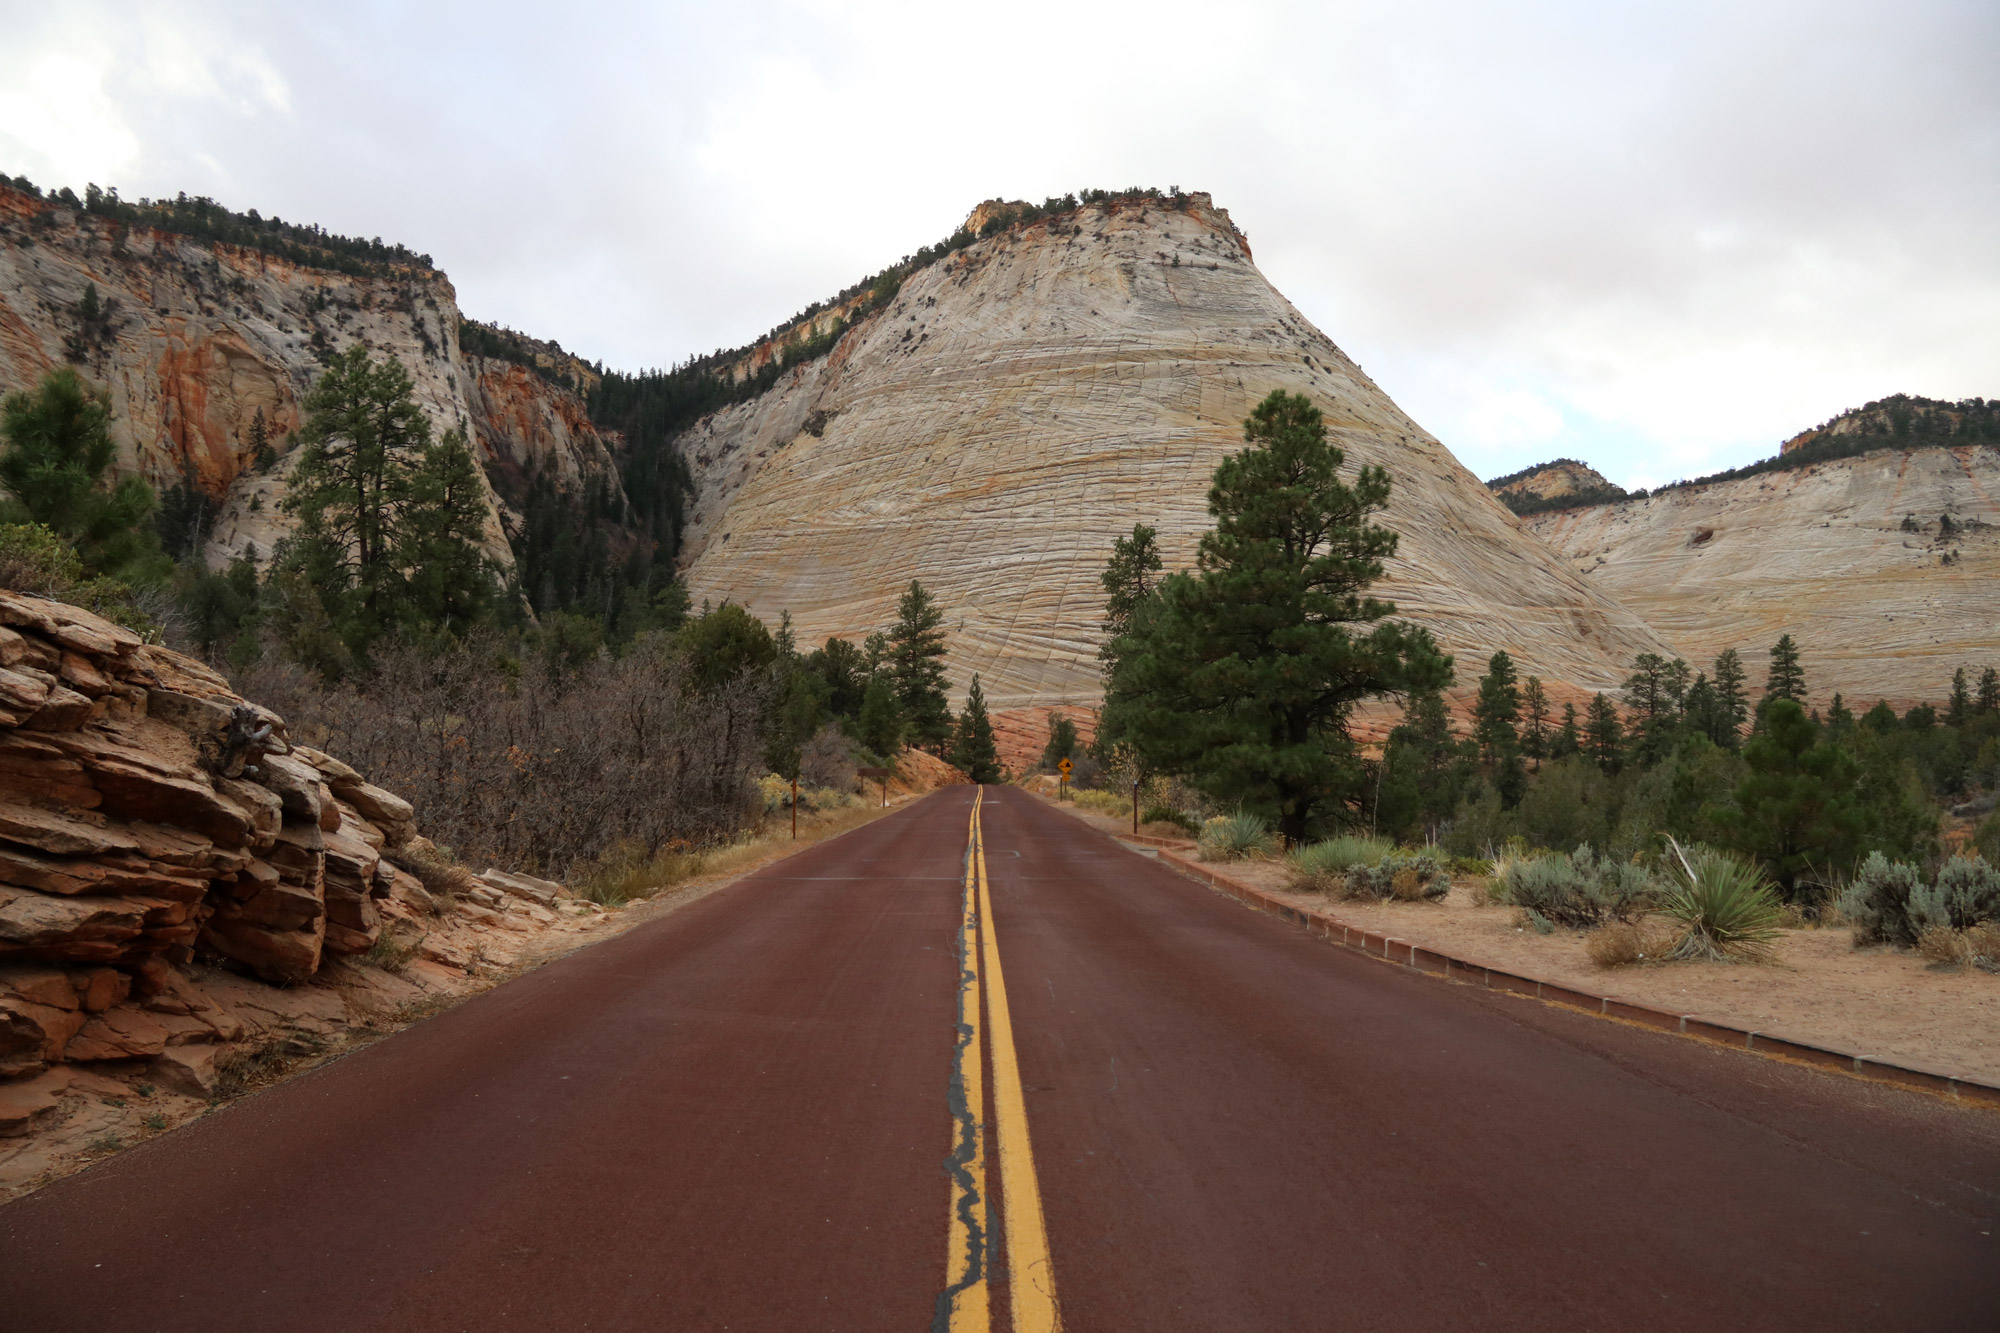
(735, 1118)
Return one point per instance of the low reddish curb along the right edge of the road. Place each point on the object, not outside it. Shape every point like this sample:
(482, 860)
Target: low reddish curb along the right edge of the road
(1469, 972)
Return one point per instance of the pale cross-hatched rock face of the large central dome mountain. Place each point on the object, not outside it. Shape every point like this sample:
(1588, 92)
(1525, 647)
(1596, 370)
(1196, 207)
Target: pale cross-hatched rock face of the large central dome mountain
(1025, 401)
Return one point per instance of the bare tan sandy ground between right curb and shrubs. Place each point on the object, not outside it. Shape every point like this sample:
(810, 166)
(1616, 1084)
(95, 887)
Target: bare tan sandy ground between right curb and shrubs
(1819, 988)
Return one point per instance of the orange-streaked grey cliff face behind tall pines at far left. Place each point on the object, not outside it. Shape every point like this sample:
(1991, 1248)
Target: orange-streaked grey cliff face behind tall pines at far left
(197, 341)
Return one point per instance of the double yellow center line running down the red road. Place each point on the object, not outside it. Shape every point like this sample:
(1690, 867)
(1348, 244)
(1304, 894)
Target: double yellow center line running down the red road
(965, 1306)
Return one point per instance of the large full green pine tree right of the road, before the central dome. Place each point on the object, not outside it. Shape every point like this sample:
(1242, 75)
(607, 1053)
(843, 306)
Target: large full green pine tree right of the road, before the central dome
(1243, 674)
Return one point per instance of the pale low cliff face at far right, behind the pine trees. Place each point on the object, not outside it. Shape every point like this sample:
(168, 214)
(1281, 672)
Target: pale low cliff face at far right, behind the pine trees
(1883, 567)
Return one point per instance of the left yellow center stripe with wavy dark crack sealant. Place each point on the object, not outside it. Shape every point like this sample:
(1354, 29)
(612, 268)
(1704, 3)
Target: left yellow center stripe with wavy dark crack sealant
(967, 1304)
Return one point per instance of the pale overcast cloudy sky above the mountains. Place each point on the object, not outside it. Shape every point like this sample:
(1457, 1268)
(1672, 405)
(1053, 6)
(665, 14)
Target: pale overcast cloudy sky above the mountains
(1657, 237)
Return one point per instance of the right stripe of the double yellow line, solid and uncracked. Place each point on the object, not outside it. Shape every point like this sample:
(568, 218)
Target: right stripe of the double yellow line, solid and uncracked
(1031, 1272)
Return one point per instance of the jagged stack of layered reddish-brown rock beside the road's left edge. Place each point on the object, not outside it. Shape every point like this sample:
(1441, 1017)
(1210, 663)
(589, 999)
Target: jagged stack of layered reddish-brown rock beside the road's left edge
(155, 826)
